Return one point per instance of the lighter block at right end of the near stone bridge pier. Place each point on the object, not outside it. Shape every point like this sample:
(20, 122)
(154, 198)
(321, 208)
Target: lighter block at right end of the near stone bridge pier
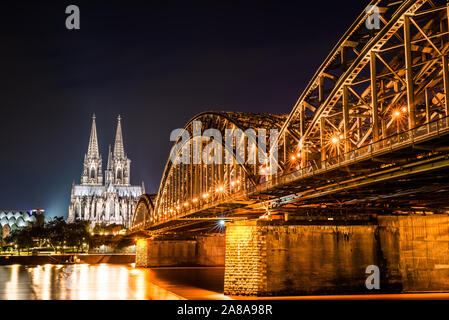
(416, 250)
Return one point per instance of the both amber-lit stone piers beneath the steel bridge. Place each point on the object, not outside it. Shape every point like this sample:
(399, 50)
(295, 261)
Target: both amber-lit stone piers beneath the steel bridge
(303, 257)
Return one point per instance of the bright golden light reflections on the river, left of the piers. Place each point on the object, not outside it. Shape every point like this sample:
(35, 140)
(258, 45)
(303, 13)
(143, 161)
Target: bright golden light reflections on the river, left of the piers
(79, 282)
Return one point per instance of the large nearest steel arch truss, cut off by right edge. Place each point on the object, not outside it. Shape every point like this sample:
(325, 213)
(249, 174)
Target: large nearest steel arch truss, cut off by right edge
(372, 85)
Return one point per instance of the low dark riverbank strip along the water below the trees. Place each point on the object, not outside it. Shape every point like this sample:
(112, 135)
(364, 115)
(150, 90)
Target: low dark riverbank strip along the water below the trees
(68, 259)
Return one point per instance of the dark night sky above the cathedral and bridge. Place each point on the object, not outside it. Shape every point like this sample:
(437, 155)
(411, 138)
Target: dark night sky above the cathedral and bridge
(157, 64)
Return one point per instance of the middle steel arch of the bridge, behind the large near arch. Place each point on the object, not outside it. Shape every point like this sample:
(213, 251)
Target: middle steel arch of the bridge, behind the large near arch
(187, 187)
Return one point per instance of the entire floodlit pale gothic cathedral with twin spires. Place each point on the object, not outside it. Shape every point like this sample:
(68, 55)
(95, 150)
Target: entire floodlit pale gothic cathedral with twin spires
(109, 199)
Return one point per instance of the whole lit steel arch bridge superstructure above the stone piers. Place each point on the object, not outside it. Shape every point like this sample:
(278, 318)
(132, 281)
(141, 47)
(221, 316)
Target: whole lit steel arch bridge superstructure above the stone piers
(376, 105)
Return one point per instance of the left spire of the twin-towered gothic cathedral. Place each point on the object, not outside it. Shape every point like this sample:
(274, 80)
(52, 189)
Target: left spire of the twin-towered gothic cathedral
(92, 171)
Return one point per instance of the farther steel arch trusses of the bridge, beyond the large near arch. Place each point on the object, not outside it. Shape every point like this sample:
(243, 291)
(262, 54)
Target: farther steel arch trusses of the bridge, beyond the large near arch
(189, 186)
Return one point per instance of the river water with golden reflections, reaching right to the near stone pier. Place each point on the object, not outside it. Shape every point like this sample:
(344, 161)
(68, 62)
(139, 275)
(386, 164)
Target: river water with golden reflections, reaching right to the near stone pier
(108, 282)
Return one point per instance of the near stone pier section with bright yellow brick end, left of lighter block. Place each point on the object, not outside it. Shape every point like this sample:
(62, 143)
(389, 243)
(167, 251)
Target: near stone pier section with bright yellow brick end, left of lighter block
(290, 258)
